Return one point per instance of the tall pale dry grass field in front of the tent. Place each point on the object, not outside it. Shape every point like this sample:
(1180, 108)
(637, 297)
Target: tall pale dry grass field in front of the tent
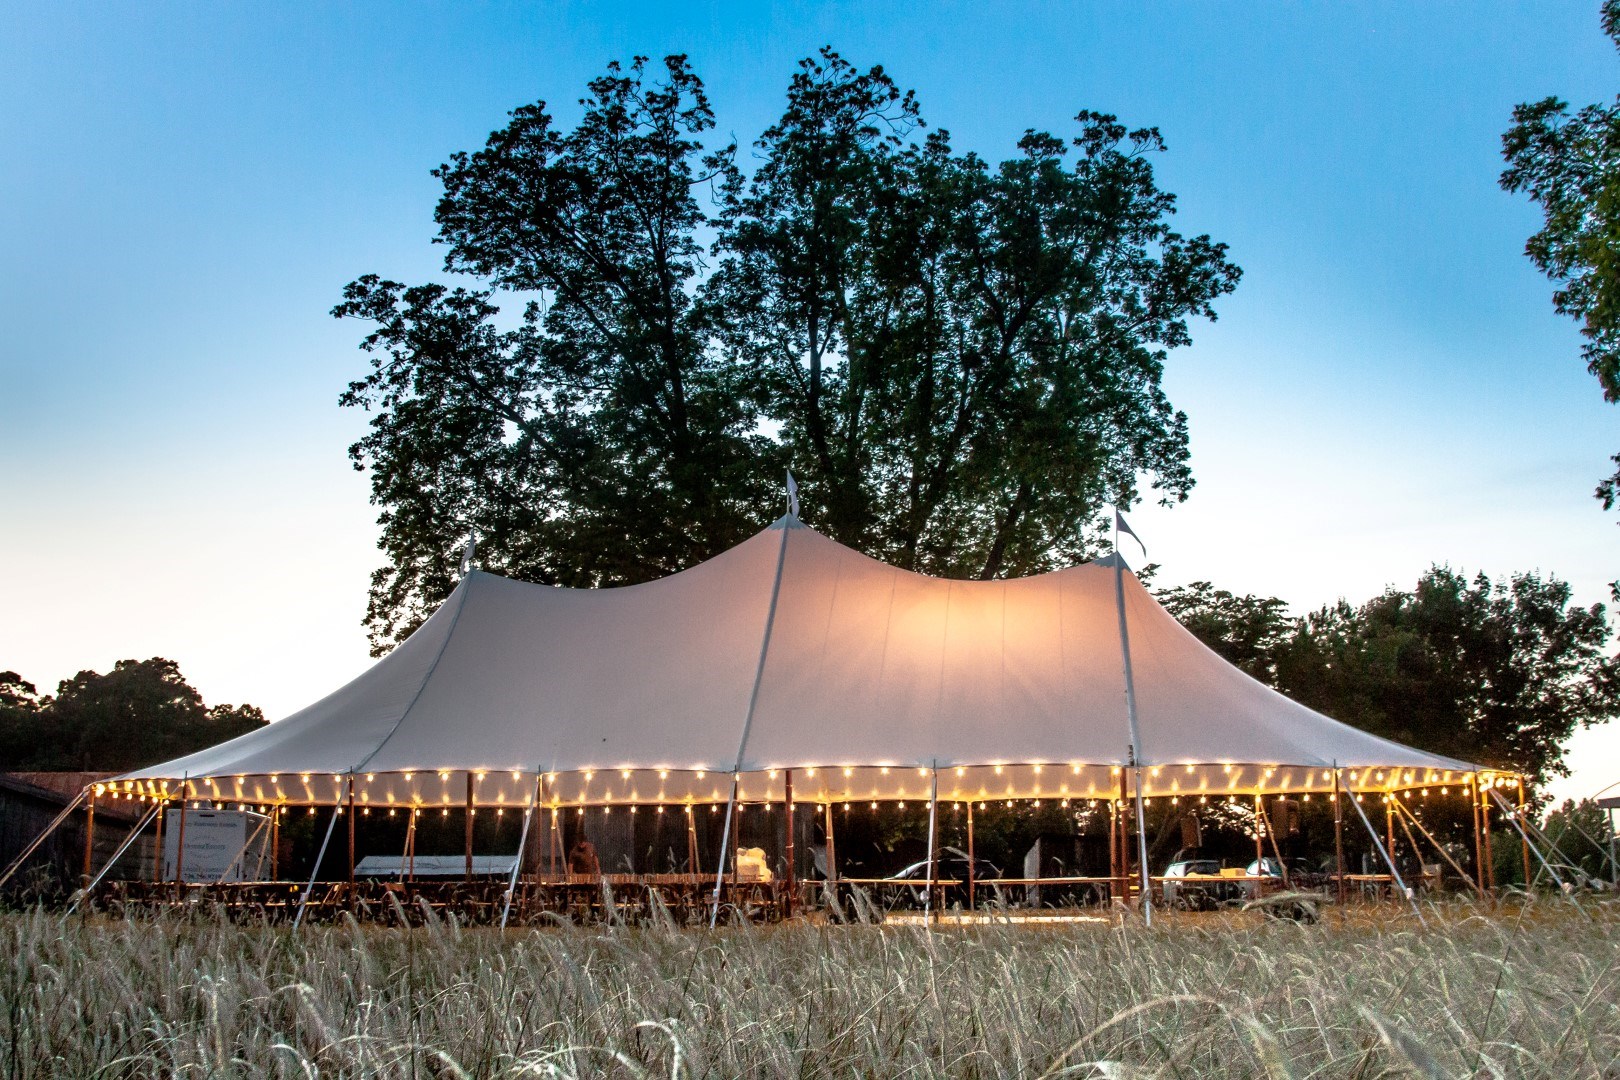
(1507, 993)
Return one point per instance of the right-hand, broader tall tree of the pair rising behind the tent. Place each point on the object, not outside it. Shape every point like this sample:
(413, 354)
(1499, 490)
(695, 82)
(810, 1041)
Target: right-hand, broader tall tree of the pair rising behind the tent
(965, 359)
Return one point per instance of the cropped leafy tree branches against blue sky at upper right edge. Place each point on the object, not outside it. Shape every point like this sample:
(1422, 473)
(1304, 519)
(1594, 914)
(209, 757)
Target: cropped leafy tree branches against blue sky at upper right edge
(1571, 166)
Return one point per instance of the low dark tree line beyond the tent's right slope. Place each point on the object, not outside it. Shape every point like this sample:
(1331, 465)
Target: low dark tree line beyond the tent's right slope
(1496, 673)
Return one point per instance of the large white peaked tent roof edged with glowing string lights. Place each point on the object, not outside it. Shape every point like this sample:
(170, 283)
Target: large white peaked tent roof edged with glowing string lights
(793, 652)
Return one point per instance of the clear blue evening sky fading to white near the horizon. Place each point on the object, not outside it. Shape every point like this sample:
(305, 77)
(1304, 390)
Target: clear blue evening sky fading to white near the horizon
(185, 190)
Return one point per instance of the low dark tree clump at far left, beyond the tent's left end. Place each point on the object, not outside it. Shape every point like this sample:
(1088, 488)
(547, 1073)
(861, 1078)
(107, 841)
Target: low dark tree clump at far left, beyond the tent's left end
(140, 713)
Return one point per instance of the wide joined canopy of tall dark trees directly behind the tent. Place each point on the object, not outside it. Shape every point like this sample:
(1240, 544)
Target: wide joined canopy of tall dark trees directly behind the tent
(960, 359)
